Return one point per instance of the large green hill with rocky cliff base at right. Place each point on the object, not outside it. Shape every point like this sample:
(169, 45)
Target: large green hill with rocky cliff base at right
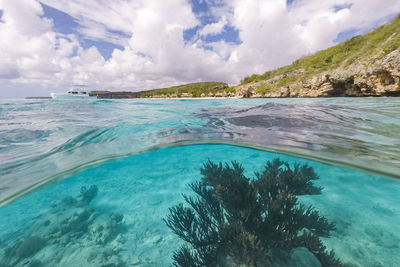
(367, 65)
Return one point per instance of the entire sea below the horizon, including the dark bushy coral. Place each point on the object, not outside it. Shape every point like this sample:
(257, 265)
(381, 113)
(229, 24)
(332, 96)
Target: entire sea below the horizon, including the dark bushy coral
(219, 182)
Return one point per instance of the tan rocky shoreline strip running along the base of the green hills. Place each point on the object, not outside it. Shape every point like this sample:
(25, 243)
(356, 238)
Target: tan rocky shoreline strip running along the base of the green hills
(375, 77)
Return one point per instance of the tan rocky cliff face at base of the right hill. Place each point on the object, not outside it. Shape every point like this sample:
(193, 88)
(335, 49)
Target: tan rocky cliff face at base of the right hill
(373, 77)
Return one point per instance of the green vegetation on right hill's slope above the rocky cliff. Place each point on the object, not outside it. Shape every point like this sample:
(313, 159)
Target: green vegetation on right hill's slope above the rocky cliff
(378, 43)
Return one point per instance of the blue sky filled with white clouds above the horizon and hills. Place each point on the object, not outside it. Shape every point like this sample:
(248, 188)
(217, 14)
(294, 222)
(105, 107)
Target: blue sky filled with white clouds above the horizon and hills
(49, 45)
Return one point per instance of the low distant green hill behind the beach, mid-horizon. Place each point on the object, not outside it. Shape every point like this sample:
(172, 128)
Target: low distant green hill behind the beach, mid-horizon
(190, 90)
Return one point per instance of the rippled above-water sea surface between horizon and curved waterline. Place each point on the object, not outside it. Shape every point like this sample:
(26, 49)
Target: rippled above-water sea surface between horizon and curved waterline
(42, 138)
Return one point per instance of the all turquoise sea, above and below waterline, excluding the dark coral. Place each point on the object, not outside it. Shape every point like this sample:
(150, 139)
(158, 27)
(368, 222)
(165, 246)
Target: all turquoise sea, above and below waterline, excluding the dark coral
(90, 182)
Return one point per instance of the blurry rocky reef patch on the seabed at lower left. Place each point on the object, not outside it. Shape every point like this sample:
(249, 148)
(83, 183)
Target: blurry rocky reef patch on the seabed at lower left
(72, 233)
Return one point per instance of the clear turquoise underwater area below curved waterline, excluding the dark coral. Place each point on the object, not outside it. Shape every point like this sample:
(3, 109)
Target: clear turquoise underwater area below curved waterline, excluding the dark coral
(364, 208)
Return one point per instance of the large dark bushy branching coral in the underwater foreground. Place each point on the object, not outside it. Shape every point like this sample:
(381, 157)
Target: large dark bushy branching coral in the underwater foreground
(237, 221)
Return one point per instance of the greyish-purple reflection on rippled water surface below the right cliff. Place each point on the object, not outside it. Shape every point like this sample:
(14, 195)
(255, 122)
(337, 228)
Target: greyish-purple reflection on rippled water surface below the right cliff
(344, 133)
